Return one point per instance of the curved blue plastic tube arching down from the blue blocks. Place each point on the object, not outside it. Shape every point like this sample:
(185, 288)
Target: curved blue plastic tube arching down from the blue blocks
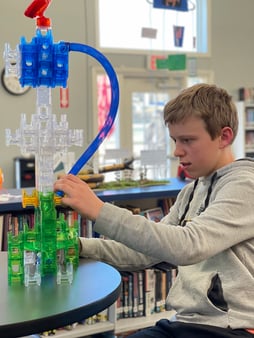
(88, 153)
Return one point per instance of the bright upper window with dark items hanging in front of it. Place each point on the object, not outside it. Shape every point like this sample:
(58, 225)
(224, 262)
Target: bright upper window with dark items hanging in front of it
(136, 26)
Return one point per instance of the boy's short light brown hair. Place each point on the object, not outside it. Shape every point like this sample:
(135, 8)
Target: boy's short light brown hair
(210, 103)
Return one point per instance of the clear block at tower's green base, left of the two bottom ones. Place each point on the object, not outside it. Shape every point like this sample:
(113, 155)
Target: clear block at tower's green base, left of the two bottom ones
(32, 268)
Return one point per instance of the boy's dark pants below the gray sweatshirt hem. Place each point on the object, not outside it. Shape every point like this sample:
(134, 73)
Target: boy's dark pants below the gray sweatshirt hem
(166, 329)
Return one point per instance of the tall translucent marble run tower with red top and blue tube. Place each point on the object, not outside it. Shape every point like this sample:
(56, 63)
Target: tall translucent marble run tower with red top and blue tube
(50, 246)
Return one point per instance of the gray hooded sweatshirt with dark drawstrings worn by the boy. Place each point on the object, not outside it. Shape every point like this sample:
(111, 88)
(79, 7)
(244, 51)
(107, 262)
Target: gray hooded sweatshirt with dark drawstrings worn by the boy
(208, 234)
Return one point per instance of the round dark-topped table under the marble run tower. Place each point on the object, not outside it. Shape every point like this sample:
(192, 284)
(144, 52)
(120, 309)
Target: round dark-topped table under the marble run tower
(34, 309)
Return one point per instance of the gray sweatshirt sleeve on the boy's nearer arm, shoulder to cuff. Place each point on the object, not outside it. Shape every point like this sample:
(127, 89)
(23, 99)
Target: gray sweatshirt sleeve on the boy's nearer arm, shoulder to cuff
(225, 223)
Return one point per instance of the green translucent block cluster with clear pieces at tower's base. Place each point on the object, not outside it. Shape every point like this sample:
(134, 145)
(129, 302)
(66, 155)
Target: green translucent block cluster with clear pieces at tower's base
(47, 247)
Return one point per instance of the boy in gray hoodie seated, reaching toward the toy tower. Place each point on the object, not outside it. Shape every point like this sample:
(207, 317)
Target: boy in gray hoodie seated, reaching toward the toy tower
(208, 234)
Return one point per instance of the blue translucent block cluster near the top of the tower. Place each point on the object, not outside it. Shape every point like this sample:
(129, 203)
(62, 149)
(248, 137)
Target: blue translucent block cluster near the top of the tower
(43, 63)
